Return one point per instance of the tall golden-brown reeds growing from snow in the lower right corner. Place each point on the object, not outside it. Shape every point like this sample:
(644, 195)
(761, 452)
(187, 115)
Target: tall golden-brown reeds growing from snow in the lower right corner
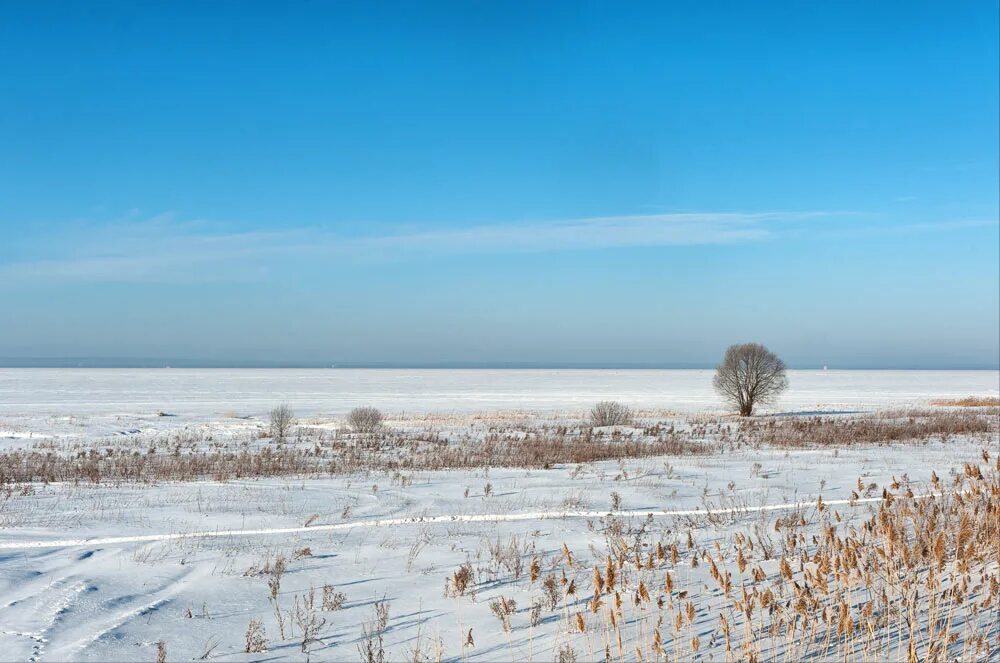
(916, 581)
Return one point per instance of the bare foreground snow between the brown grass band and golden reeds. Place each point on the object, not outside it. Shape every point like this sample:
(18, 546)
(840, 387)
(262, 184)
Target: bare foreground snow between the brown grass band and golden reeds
(112, 600)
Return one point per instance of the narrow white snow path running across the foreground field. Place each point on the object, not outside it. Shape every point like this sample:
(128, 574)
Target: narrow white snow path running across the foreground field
(424, 520)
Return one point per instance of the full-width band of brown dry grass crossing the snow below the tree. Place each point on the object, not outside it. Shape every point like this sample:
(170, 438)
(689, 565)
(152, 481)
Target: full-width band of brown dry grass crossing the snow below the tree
(184, 456)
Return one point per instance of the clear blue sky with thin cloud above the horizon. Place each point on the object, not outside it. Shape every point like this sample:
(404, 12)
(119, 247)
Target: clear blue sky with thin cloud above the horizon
(501, 182)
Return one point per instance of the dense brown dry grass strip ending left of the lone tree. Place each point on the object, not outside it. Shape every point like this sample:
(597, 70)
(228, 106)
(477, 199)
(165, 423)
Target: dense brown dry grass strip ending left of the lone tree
(332, 458)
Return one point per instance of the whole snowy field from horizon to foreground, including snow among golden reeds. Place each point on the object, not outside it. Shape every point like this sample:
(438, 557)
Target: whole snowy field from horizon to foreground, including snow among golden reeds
(494, 563)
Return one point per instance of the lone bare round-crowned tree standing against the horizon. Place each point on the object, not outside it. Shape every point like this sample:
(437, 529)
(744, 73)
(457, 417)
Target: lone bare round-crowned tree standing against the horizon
(750, 375)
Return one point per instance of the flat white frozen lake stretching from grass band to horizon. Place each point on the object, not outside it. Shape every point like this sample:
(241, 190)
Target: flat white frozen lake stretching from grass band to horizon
(211, 392)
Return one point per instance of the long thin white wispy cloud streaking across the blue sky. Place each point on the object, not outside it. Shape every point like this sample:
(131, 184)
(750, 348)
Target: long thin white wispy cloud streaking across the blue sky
(162, 248)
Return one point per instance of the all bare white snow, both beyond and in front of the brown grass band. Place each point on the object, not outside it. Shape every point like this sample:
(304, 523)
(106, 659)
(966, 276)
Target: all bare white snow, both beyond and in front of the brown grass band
(104, 572)
